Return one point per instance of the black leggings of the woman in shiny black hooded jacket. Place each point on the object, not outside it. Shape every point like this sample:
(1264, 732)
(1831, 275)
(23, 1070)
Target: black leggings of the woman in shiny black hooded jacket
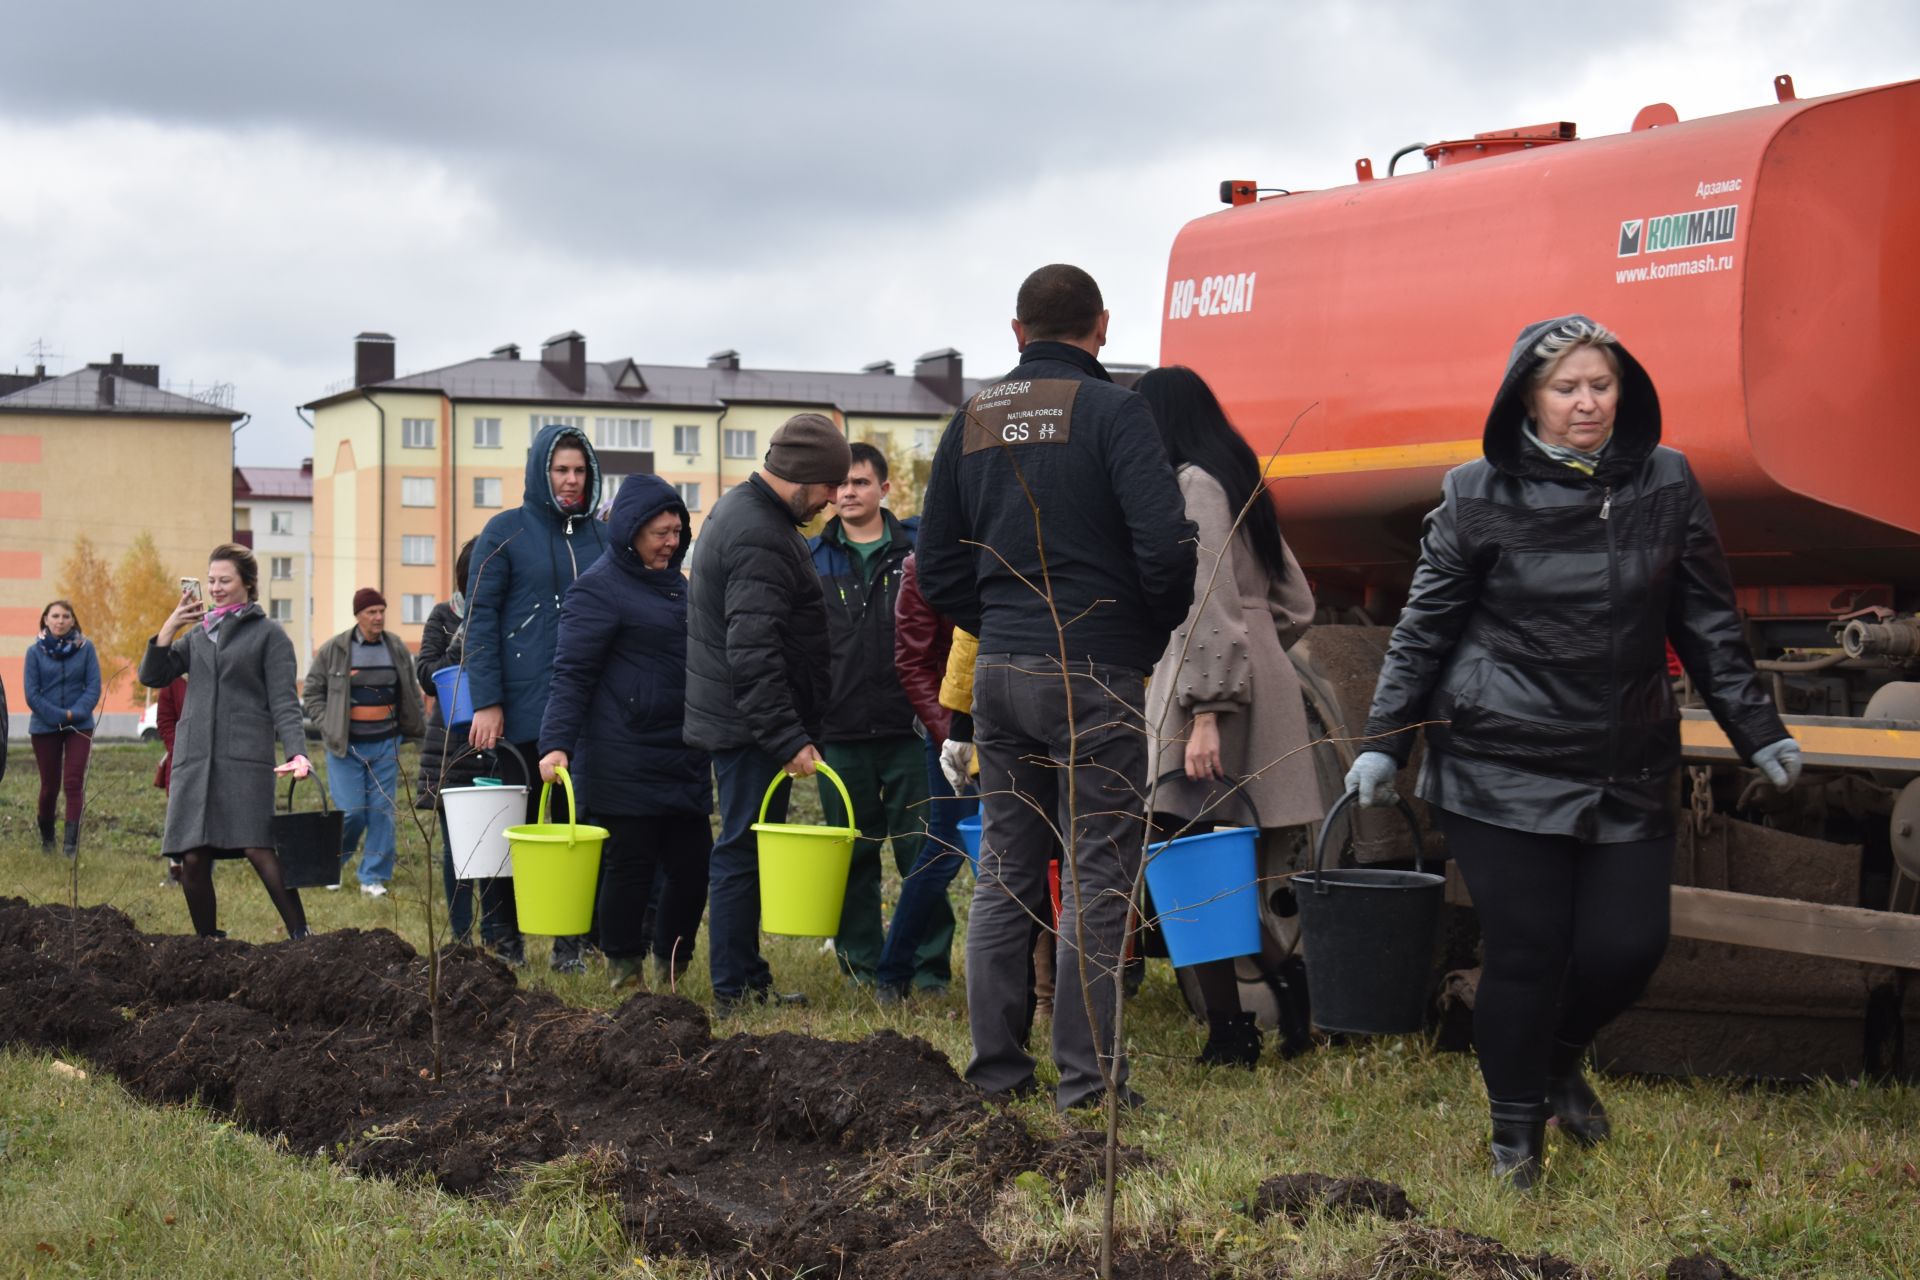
(1572, 934)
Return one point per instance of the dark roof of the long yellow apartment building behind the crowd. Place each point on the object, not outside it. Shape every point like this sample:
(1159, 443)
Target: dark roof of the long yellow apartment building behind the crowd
(629, 385)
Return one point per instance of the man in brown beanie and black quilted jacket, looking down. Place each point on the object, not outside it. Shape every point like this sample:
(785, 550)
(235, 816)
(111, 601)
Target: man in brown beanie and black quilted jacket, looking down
(759, 673)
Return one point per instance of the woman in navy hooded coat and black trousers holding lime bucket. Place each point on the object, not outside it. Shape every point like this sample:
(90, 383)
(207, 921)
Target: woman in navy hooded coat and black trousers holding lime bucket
(615, 721)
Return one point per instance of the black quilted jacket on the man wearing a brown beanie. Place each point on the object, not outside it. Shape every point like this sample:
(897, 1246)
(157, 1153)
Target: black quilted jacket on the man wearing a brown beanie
(759, 665)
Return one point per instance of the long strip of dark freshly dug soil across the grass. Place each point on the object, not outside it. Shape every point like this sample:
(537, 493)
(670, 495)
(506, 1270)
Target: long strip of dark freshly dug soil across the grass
(761, 1154)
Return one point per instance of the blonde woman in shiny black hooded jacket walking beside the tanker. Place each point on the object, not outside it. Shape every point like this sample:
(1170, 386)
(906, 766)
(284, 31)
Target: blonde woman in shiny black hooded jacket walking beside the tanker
(1552, 579)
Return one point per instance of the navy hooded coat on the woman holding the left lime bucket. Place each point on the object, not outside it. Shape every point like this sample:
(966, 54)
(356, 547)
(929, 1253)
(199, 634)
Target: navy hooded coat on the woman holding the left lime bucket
(619, 678)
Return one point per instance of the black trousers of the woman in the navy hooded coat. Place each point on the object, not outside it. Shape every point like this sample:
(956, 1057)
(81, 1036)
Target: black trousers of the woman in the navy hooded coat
(636, 853)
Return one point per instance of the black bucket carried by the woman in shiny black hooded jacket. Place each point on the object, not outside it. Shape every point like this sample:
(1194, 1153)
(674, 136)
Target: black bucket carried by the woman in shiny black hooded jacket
(1370, 939)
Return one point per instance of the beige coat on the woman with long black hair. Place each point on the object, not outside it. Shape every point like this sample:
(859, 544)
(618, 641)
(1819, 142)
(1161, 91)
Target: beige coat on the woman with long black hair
(1236, 665)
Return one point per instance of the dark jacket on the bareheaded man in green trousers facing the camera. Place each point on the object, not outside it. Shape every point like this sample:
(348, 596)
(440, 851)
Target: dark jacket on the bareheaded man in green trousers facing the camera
(869, 699)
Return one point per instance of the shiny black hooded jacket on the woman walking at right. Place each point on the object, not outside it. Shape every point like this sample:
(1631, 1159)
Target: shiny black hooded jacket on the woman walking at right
(1539, 621)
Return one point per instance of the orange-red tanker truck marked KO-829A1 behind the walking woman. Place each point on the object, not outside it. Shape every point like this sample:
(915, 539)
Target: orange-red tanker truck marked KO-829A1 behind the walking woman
(1765, 268)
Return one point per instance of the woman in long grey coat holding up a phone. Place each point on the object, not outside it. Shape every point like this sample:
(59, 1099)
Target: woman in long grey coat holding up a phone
(245, 698)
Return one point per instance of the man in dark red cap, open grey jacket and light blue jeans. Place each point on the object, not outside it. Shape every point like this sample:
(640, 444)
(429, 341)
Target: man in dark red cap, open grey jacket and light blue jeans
(362, 701)
